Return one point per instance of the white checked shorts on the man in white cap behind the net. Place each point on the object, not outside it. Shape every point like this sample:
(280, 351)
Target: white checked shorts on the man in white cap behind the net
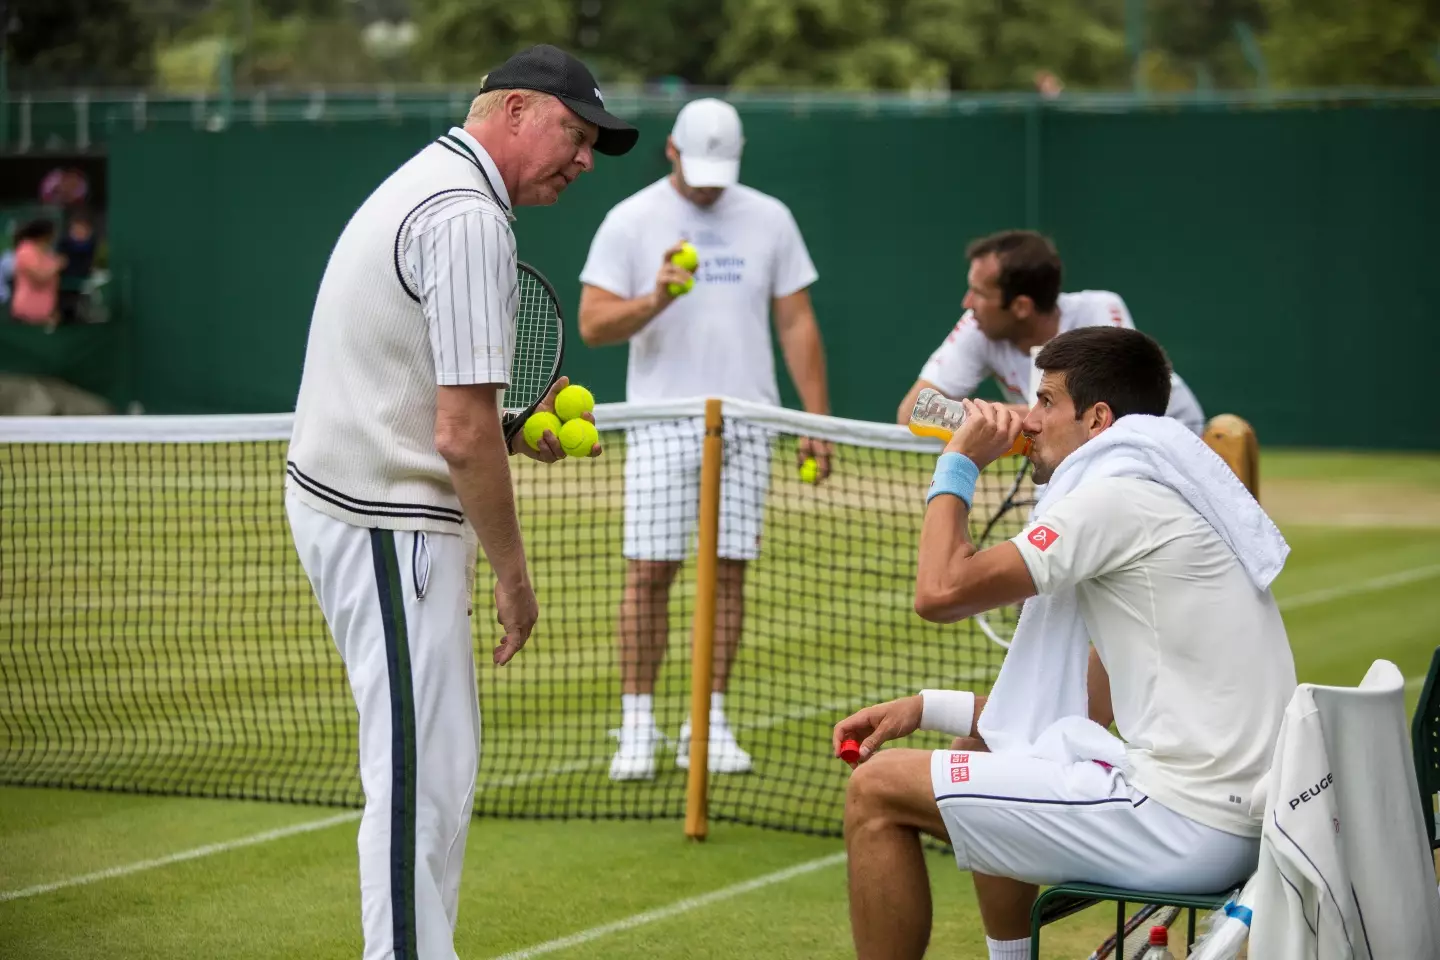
(663, 489)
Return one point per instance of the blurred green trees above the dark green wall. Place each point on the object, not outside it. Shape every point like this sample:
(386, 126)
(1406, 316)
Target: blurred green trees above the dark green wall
(917, 45)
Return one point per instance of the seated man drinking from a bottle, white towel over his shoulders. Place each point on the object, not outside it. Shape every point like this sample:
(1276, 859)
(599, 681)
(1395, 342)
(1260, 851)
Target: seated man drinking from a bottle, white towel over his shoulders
(1146, 545)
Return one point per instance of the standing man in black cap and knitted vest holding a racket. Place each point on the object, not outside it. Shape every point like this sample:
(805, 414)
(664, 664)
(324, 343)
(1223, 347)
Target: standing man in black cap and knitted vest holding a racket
(420, 369)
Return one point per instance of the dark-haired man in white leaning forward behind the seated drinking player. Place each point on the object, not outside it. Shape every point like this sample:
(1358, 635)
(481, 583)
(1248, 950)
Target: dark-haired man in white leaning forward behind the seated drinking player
(1013, 309)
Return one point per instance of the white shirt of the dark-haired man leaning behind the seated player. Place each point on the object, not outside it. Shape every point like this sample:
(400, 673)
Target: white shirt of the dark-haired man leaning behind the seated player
(960, 365)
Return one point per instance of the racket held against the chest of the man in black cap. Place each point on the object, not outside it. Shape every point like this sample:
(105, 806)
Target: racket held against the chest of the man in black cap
(539, 349)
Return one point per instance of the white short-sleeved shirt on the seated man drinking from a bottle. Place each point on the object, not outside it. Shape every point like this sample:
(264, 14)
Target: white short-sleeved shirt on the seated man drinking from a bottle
(1199, 660)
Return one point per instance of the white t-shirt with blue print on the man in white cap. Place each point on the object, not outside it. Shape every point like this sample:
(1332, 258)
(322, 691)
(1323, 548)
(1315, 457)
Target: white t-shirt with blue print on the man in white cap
(716, 339)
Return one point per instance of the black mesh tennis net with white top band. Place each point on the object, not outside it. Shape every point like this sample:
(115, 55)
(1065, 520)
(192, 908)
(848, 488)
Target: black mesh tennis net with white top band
(158, 633)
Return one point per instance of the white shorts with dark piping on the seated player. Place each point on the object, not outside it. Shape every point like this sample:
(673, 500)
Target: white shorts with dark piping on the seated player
(1048, 823)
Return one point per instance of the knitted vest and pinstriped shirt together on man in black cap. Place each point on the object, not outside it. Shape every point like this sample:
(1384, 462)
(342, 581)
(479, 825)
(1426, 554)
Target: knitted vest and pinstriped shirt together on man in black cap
(421, 291)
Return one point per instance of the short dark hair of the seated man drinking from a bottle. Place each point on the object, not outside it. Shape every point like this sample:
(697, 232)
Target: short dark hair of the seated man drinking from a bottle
(1111, 365)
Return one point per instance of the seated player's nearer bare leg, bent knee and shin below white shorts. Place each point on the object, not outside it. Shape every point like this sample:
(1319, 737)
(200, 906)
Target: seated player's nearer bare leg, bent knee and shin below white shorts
(888, 805)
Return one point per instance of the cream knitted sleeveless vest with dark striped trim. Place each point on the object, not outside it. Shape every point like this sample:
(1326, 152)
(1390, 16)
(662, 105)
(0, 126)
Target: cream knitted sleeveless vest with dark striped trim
(364, 444)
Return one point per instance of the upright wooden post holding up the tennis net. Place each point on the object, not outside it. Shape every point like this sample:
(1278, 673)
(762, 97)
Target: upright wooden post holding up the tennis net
(702, 648)
